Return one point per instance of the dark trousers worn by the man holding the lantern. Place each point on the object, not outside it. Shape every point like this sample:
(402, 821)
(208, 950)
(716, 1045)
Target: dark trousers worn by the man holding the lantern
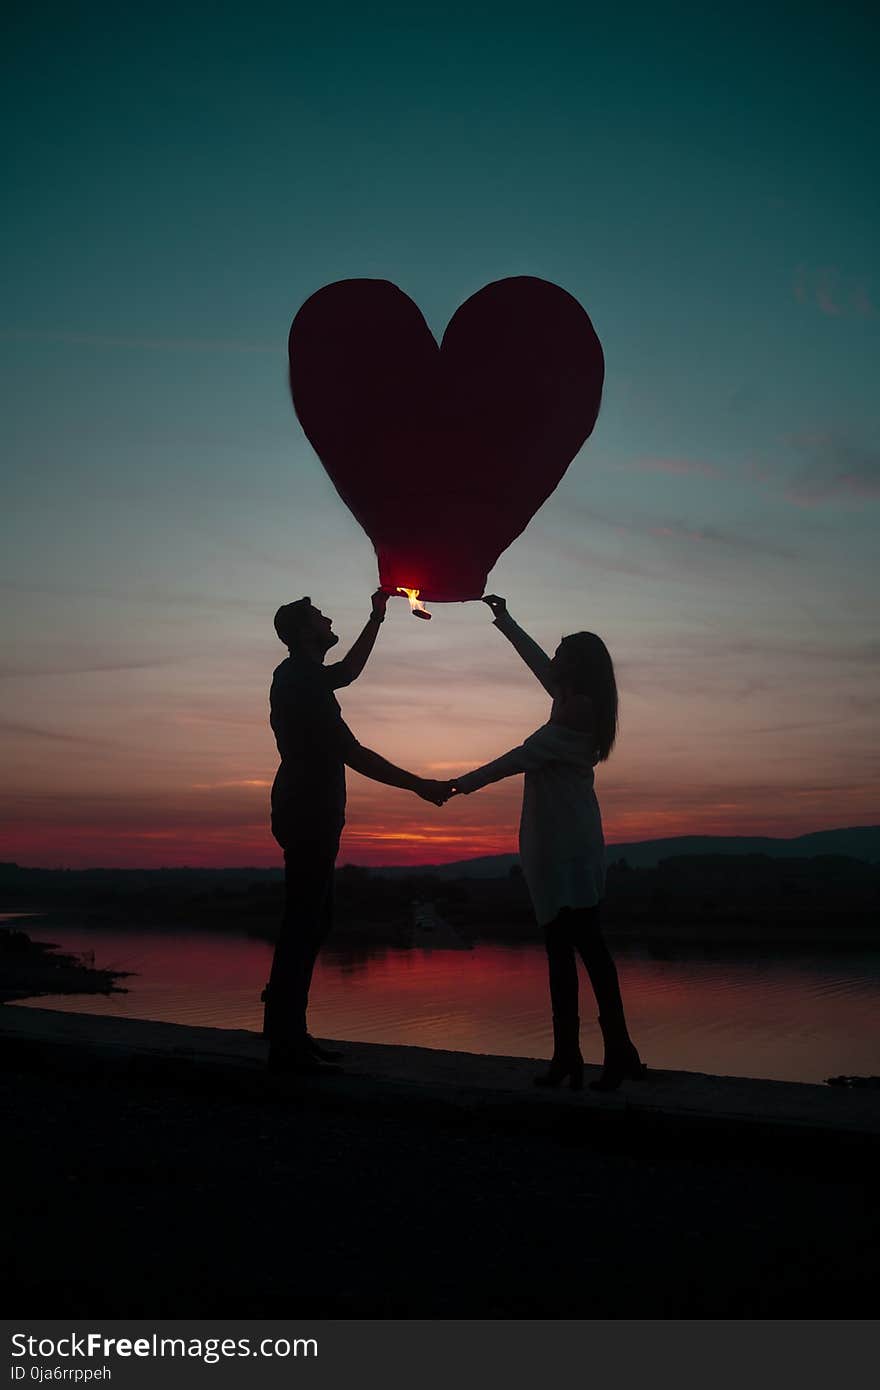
(309, 860)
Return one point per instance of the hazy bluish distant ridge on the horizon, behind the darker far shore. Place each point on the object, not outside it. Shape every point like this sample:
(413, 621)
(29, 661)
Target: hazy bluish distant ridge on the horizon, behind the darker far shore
(856, 843)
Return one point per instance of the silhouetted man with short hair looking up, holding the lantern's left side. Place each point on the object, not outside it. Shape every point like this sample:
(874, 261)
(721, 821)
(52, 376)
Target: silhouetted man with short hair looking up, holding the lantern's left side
(308, 807)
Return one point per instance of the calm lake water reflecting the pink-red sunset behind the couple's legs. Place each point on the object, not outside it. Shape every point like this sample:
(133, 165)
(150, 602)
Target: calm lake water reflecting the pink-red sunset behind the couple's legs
(789, 1017)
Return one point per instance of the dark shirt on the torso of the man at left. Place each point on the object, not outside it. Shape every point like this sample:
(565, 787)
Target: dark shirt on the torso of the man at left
(313, 742)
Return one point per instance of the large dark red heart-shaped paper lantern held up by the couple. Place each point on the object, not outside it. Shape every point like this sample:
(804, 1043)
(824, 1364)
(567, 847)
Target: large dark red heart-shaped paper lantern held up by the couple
(446, 454)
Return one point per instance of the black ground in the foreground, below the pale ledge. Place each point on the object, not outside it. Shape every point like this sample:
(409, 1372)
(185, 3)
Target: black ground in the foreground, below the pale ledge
(151, 1195)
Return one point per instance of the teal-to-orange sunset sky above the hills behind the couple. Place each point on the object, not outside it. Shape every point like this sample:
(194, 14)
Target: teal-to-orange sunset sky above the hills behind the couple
(179, 180)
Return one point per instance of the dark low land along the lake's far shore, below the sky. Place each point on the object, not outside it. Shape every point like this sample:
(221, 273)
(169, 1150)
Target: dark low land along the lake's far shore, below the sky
(700, 883)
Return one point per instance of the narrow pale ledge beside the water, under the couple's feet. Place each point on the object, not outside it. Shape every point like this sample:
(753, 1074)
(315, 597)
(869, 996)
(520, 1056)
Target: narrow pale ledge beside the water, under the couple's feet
(400, 1074)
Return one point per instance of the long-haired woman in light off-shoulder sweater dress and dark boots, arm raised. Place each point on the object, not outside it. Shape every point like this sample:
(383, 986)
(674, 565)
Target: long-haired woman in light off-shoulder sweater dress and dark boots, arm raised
(562, 850)
